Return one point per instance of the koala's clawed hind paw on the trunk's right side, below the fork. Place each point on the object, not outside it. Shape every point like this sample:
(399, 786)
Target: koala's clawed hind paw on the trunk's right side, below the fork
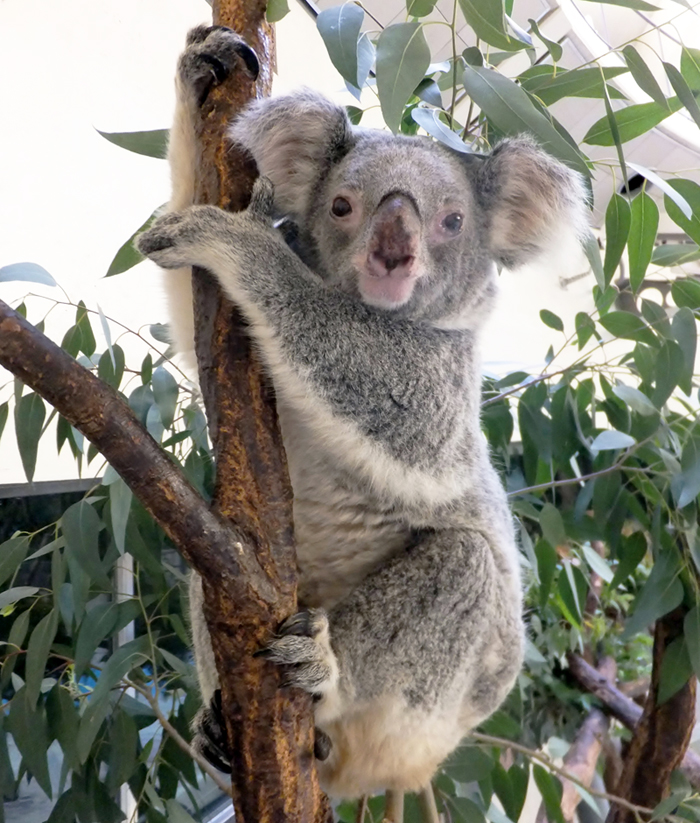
(303, 648)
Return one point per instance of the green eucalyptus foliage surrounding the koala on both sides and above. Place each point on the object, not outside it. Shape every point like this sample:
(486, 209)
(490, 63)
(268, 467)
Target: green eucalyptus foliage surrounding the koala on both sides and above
(599, 451)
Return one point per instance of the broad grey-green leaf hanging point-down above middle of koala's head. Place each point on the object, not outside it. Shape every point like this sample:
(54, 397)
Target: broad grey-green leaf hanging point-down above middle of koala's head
(403, 58)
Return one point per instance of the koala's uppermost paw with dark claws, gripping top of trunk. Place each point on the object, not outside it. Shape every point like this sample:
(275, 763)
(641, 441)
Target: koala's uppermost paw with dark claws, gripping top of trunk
(210, 57)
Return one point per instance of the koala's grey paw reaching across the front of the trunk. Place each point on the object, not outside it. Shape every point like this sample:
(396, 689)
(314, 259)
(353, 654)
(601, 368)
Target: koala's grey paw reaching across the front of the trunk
(181, 238)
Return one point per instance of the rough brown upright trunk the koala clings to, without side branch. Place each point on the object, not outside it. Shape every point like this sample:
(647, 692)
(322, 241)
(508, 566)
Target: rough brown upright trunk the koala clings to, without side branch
(271, 730)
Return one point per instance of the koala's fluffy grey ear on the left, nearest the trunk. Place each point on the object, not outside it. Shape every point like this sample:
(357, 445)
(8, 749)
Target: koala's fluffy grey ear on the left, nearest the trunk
(293, 139)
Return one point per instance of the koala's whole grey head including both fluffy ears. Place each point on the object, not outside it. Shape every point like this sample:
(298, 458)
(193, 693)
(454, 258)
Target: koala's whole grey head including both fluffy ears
(406, 224)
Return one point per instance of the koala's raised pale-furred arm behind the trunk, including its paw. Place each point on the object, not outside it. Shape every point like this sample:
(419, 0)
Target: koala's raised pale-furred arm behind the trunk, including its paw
(211, 54)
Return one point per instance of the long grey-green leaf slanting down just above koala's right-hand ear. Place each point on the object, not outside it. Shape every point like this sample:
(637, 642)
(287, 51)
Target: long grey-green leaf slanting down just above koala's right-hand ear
(510, 109)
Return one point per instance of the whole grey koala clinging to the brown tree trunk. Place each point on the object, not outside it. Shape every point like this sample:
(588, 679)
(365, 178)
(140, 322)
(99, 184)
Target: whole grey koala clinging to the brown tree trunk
(410, 630)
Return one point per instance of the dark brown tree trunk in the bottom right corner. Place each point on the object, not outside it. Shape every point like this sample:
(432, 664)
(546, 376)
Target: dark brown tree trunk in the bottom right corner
(662, 735)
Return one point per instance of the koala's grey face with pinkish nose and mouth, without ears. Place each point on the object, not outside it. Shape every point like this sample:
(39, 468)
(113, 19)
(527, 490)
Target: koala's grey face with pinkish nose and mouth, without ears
(396, 223)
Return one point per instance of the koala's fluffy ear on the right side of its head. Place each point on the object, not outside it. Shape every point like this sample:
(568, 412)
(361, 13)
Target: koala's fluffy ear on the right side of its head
(530, 200)
